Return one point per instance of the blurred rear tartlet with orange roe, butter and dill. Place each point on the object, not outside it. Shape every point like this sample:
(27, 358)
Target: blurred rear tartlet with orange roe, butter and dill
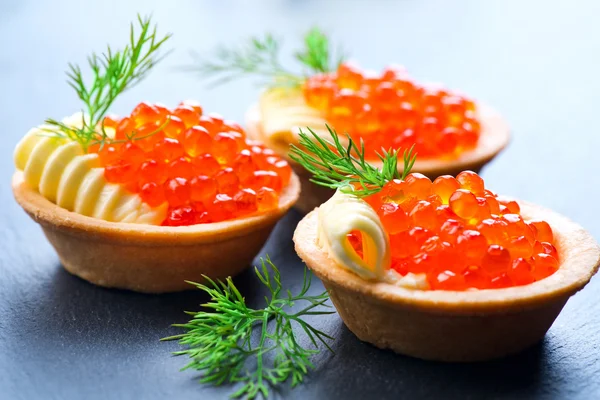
(384, 110)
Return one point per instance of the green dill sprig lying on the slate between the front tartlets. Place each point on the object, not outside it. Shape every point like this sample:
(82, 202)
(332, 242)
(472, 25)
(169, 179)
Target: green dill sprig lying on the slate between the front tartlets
(219, 342)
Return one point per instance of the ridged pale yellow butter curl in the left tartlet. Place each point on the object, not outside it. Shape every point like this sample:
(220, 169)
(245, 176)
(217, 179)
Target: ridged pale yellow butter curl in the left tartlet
(62, 173)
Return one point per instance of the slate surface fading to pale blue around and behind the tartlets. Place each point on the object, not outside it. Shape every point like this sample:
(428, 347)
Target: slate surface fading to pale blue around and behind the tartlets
(535, 61)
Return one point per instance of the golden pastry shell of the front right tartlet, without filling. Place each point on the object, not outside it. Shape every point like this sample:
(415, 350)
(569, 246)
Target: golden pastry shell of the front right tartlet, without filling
(455, 326)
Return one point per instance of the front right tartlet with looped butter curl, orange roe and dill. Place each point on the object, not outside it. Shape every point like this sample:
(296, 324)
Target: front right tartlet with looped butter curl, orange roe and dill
(444, 270)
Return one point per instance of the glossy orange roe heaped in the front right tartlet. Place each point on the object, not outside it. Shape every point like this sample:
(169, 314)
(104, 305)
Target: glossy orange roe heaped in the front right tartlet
(461, 235)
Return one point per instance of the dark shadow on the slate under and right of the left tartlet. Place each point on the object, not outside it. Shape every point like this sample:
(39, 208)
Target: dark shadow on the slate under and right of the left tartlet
(71, 309)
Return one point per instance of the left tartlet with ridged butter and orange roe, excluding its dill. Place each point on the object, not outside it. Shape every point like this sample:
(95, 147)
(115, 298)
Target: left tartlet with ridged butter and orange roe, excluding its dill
(109, 230)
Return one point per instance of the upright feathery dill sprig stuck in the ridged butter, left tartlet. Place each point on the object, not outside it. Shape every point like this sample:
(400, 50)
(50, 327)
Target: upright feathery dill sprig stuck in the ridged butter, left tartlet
(113, 72)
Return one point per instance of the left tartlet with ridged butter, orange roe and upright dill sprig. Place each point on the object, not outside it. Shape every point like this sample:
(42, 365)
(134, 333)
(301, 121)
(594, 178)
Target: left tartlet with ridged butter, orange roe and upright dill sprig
(152, 199)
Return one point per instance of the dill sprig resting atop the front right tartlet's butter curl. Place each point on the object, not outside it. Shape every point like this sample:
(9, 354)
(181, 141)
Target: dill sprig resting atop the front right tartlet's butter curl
(340, 167)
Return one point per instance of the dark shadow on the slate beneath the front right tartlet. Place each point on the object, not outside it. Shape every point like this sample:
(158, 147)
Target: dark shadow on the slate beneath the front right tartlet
(392, 376)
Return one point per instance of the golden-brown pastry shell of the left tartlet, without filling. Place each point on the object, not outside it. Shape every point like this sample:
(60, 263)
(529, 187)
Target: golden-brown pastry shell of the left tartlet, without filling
(147, 258)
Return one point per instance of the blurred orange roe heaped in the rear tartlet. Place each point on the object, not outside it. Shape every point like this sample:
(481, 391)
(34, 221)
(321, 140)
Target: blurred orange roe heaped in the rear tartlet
(390, 110)
